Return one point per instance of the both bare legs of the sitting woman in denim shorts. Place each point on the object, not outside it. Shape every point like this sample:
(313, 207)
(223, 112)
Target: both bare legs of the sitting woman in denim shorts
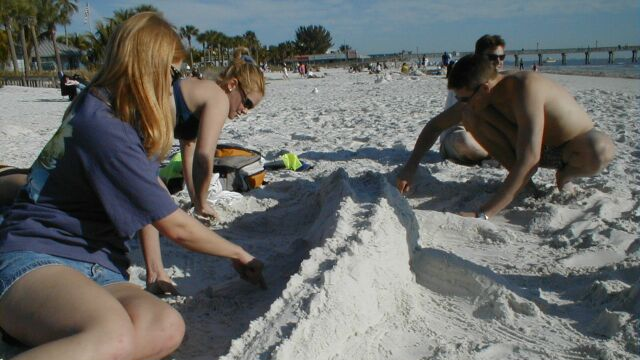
(64, 315)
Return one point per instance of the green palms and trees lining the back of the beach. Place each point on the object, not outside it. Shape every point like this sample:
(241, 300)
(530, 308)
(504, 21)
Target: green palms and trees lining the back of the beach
(26, 22)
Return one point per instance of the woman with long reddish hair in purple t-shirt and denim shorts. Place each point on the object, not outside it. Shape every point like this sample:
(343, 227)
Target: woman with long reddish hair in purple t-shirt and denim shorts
(63, 253)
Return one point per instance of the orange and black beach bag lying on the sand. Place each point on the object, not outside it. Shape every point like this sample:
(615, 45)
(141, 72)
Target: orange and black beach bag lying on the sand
(240, 169)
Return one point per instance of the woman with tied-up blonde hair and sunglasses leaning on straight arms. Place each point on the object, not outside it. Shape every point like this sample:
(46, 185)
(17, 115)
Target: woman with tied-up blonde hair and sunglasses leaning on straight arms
(202, 107)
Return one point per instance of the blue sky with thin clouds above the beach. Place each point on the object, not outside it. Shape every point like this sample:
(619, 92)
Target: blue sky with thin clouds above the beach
(388, 26)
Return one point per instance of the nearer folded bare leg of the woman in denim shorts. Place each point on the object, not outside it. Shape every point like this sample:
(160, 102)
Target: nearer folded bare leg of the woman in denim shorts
(64, 315)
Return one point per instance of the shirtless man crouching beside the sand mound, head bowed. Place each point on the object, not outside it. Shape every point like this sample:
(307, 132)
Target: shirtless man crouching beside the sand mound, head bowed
(525, 121)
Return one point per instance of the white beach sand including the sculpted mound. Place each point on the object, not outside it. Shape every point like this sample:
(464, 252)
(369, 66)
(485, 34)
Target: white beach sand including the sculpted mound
(356, 271)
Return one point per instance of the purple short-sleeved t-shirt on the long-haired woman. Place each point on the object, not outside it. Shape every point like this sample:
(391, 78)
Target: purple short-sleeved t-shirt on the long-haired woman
(90, 189)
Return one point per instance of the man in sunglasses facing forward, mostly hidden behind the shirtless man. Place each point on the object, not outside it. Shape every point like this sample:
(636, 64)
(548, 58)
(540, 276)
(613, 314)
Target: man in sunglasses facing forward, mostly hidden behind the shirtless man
(456, 144)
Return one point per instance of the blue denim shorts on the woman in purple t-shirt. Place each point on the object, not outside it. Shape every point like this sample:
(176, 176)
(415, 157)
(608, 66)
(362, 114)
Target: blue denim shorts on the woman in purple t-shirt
(16, 264)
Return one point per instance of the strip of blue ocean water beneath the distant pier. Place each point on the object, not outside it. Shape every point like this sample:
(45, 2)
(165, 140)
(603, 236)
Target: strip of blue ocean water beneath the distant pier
(622, 68)
